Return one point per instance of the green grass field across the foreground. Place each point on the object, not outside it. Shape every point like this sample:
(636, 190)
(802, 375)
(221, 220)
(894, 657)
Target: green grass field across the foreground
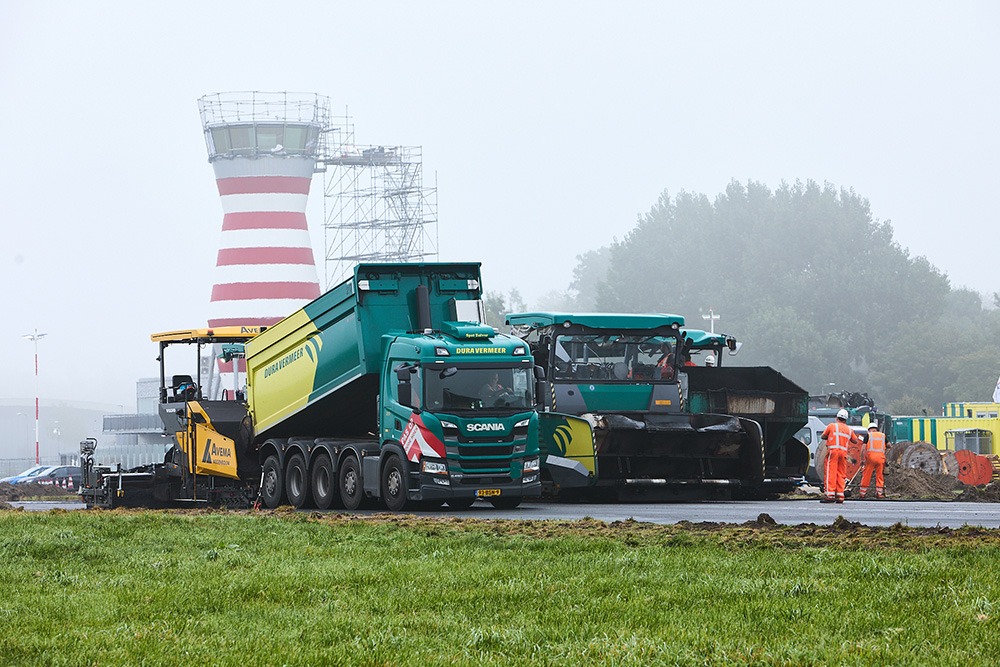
(159, 588)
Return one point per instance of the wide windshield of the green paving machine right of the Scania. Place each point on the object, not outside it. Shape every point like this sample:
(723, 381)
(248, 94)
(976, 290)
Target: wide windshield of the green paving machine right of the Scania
(613, 357)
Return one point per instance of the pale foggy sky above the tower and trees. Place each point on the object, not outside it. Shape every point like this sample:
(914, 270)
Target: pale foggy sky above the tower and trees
(551, 127)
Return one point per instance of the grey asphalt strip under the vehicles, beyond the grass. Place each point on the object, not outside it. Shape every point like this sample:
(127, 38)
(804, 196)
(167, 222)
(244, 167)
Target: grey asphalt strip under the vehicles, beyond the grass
(789, 512)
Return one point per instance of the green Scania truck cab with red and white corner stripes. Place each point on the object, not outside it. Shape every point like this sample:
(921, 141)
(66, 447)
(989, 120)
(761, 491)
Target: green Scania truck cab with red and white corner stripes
(458, 419)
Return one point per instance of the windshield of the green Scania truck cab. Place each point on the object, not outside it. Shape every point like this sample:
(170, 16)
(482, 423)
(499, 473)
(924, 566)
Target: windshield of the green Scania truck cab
(464, 389)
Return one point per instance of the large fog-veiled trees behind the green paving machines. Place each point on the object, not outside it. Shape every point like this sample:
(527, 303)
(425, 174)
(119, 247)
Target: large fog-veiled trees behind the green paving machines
(812, 284)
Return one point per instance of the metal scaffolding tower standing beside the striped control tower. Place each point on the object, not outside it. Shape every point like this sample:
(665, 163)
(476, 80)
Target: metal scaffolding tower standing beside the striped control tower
(375, 205)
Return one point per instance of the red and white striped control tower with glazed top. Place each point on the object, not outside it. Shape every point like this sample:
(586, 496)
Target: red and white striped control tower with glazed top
(263, 147)
